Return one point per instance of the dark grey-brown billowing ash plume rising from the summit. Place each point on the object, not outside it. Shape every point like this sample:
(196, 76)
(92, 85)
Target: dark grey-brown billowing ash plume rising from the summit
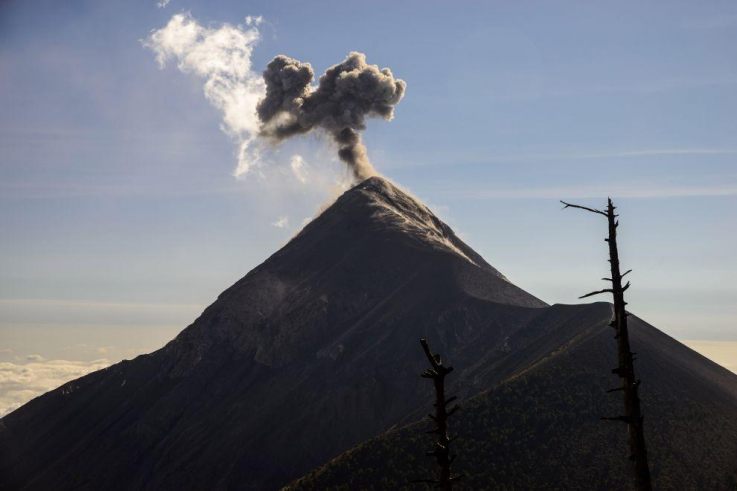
(347, 94)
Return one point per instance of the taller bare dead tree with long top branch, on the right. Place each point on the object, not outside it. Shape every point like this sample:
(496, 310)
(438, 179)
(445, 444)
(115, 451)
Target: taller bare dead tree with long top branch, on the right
(625, 369)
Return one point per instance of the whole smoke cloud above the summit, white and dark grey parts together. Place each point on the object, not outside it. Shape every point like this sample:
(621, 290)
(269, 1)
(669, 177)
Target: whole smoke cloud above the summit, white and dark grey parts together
(283, 102)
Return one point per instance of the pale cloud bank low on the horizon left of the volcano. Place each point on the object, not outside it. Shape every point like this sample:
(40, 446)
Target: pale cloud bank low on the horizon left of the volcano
(19, 383)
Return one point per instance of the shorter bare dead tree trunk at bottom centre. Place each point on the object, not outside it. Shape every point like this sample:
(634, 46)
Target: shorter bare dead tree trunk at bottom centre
(442, 454)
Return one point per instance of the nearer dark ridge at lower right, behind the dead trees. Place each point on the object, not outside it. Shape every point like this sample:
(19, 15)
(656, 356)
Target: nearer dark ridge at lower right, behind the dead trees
(541, 428)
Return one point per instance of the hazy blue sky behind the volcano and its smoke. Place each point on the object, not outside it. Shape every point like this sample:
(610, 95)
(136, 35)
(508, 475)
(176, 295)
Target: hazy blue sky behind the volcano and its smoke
(122, 220)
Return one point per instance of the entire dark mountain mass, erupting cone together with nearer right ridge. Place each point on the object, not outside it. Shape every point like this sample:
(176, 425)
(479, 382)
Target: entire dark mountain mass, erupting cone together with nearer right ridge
(316, 351)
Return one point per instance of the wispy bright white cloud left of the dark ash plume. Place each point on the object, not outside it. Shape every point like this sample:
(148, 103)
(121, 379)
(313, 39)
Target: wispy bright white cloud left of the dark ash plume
(222, 57)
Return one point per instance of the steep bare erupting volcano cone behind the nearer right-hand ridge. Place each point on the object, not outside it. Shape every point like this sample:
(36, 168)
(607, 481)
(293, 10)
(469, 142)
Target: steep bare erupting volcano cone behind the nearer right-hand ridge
(311, 353)
